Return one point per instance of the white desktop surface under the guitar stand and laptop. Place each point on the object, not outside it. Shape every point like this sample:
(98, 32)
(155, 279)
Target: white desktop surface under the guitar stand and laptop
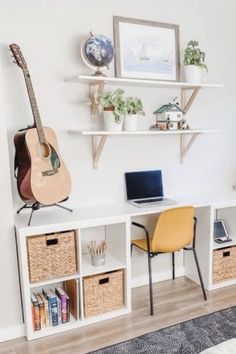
(57, 216)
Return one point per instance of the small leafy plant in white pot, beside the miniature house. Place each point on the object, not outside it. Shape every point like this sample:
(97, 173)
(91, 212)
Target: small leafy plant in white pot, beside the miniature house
(134, 108)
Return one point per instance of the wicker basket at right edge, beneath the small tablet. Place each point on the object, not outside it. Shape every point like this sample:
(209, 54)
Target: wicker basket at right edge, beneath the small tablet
(224, 264)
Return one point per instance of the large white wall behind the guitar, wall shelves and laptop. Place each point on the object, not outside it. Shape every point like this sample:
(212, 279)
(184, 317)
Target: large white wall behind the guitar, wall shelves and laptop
(49, 34)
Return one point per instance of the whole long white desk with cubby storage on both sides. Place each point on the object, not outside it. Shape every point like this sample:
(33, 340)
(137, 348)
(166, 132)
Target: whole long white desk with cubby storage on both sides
(116, 219)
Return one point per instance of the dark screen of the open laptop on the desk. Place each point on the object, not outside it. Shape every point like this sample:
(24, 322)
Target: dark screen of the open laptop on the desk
(144, 184)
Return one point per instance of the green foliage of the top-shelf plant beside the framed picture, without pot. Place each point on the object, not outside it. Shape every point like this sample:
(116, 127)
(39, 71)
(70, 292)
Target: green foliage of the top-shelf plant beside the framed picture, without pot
(194, 56)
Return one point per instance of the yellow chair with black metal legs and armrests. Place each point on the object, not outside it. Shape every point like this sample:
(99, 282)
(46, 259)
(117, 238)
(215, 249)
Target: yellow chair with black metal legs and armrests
(175, 230)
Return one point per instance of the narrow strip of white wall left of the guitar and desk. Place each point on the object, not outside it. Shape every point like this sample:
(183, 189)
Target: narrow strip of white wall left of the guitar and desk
(9, 298)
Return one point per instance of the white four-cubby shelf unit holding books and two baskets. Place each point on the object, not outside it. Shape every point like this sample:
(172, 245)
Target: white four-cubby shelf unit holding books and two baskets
(117, 234)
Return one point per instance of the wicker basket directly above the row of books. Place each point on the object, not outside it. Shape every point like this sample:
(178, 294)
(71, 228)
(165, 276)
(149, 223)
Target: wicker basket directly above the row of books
(51, 256)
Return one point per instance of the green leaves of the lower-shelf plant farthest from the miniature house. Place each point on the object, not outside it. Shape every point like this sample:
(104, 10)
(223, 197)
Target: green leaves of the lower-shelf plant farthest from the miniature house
(113, 101)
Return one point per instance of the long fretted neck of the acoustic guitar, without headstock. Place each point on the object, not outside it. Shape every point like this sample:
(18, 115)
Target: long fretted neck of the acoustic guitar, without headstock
(34, 107)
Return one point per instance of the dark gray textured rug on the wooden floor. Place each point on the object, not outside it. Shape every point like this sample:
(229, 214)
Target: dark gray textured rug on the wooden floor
(189, 337)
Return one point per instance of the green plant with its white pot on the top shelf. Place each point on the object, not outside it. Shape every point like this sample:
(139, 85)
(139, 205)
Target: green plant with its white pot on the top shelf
(194, 60)
